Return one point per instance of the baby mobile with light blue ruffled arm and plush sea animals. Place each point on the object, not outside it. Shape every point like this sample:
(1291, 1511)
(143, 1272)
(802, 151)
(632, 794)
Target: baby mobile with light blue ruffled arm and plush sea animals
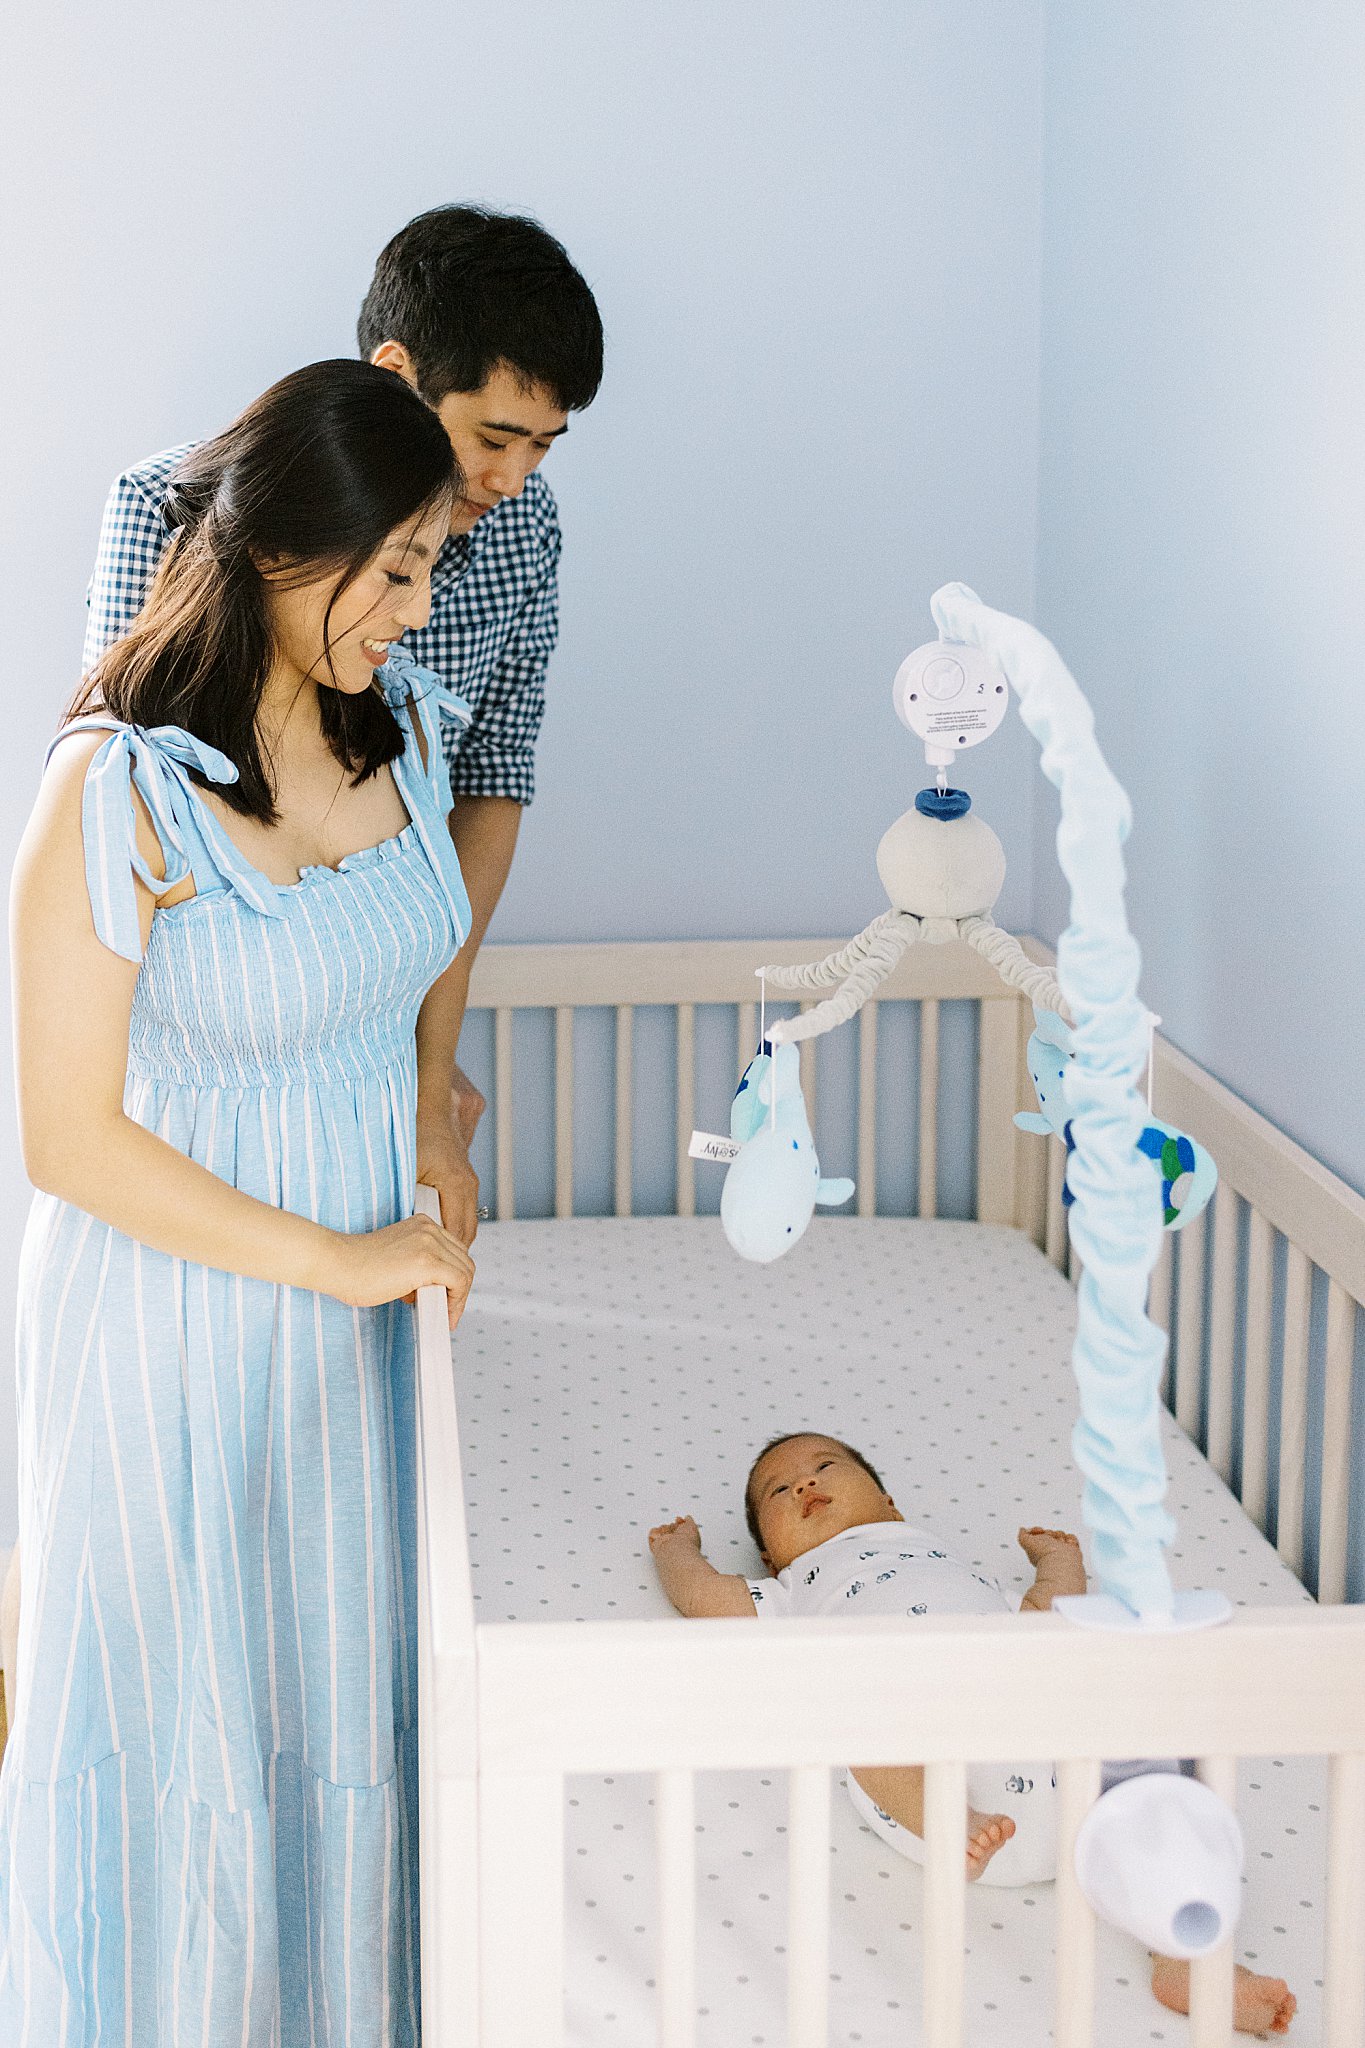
(1129, 1175)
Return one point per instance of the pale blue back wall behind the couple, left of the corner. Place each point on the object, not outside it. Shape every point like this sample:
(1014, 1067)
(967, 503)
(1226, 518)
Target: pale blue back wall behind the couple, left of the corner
(816, 241)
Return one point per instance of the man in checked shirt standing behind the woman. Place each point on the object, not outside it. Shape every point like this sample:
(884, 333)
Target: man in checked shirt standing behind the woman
(486, 316)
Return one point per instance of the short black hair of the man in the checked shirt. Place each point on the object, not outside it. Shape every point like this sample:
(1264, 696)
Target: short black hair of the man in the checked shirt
(466, 290)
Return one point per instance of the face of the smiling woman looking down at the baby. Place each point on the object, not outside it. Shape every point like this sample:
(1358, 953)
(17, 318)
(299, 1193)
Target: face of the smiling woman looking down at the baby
(388, 599)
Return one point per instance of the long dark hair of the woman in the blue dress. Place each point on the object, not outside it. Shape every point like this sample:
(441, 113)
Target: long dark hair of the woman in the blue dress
(312, 480)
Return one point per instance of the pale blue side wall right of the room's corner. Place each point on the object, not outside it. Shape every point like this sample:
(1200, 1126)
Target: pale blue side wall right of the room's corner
(1202, 515)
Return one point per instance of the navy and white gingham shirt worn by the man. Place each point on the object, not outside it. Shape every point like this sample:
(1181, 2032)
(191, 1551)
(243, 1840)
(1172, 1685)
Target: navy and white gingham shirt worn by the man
(490, 638)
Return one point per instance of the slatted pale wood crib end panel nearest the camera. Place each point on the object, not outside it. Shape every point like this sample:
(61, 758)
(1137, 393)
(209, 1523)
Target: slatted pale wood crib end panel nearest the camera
(648, 1697)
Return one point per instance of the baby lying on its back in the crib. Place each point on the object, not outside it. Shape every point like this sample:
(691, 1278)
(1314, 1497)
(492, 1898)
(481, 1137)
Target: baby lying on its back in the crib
(834, 1541)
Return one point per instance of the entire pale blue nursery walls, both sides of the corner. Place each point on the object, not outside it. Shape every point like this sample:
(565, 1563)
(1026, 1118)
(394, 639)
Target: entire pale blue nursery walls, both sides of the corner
(816, 234)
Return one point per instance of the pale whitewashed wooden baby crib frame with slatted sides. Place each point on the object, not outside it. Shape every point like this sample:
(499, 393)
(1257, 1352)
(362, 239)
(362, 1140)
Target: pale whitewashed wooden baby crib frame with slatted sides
(513, 1709)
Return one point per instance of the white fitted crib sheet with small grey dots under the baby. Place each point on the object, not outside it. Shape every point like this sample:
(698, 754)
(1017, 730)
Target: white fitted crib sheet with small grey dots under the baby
(619, 1373)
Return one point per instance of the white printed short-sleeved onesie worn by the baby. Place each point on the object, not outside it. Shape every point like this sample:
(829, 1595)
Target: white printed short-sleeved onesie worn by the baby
(889, 1568)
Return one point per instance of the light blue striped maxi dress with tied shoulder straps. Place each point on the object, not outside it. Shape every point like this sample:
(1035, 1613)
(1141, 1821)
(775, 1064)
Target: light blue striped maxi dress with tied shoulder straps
(210, 1797)
